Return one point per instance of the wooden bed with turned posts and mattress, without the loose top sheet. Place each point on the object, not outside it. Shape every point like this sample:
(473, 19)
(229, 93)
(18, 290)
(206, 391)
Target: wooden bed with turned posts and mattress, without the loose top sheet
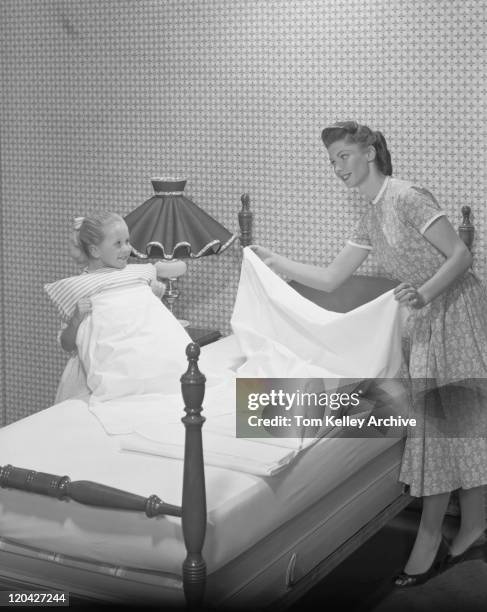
(235, 539)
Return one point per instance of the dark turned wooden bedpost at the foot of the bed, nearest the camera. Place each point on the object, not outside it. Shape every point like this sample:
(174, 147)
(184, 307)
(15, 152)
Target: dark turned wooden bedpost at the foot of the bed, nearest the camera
(194, 495)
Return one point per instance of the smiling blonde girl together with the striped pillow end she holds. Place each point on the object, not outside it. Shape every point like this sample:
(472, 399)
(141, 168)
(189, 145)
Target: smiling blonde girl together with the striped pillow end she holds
(100, 243)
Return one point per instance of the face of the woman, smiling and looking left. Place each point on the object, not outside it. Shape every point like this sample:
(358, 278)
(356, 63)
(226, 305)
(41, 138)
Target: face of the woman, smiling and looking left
(351, 161)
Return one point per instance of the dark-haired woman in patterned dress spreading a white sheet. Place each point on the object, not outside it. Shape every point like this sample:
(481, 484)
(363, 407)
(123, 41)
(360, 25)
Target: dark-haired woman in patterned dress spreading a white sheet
(446, 337)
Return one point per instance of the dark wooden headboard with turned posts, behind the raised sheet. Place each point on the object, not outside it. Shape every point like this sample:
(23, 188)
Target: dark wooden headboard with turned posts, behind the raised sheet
(358, 289)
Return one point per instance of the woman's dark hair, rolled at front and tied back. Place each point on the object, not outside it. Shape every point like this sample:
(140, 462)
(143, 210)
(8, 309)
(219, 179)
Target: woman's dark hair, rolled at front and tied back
(351, 131)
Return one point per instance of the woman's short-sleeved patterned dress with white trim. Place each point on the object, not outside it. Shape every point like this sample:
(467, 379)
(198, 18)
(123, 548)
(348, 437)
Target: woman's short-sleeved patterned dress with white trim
(445, 345)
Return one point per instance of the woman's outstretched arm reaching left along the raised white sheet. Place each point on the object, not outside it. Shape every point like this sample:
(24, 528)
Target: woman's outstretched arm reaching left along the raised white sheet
(324, 279)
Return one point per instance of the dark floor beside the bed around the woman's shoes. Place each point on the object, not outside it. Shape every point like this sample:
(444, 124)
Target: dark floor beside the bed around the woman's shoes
(364, 582)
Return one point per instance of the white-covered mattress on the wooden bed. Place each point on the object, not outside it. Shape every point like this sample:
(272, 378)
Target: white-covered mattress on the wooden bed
(67, 439)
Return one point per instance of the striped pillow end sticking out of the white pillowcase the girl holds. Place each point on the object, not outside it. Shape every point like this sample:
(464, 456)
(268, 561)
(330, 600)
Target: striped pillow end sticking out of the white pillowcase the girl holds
(67, 292)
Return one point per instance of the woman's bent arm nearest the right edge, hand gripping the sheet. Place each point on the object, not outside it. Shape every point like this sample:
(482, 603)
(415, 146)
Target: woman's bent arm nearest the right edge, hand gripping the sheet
(442, 236)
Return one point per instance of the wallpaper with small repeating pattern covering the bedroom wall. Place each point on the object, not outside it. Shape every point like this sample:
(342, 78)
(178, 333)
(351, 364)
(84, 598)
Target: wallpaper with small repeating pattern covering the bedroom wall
(97, 96)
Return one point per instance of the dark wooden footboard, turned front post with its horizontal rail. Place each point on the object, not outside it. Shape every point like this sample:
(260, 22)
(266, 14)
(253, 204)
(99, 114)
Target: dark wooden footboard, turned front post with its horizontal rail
(193, 508)
